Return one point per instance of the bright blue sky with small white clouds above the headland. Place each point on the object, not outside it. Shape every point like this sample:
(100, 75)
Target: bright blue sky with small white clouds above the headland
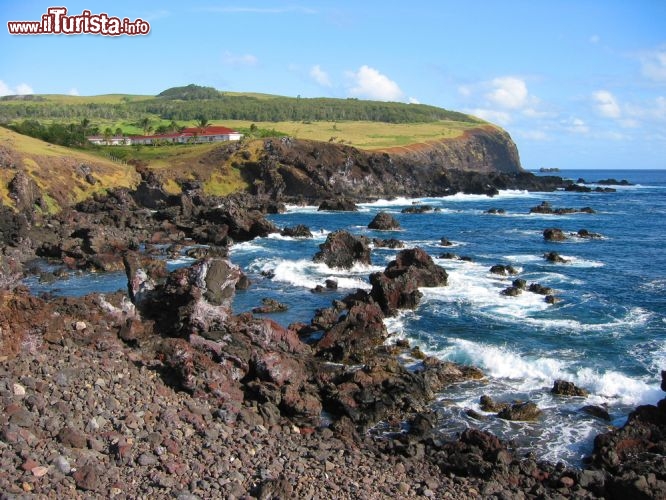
(577, 83)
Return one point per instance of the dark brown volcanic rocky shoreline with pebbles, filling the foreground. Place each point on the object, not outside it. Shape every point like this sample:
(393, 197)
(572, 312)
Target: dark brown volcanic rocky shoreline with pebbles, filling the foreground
(164, 391)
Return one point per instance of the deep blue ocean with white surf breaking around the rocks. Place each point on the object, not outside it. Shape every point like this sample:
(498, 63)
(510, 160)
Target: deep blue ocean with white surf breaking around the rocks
(607, 333)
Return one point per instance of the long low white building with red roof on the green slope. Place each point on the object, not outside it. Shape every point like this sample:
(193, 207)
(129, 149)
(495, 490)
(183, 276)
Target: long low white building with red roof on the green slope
(196, 135)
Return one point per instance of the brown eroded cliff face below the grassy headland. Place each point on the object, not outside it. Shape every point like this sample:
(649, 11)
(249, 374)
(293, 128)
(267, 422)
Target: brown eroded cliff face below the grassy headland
(483, 160)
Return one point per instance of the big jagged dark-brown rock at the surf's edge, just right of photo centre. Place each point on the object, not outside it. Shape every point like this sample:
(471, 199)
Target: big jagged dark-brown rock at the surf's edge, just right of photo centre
(397, 287)
